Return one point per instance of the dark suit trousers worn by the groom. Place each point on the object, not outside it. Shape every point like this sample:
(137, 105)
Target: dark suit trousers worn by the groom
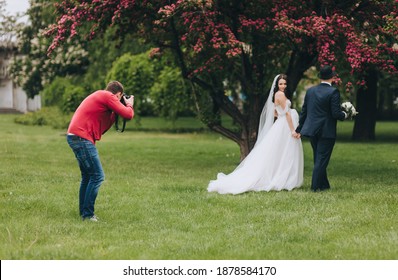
(322, 149)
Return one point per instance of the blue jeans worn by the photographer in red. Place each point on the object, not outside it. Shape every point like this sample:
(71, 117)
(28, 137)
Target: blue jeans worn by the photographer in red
(91, 170)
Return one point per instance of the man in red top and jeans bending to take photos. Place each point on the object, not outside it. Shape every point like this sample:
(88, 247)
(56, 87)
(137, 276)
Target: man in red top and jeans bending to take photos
(94, 116)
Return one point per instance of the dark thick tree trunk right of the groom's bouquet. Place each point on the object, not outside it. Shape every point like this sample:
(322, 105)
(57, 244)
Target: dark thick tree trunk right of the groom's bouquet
(365, 121)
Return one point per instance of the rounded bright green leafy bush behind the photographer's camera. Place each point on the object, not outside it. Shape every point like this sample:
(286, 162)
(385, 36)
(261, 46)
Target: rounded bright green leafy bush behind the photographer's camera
(155, 81)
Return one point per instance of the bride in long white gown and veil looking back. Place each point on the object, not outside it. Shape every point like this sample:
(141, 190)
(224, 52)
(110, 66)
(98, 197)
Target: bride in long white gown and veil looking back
(276, 161)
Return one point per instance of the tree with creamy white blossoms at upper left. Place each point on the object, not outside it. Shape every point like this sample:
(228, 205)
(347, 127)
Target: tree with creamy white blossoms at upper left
(32, 69)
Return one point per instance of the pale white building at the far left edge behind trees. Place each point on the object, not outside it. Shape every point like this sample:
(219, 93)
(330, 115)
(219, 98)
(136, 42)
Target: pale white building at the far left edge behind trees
(13, 98)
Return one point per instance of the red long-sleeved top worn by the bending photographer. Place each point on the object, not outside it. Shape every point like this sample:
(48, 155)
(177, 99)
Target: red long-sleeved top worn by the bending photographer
(96, 114)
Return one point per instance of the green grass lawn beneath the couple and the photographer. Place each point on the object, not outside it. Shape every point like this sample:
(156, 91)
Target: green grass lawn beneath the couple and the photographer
(154, 204)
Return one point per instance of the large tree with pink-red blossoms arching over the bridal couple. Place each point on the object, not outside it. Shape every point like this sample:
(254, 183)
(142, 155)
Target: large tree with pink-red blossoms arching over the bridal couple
(231, 50)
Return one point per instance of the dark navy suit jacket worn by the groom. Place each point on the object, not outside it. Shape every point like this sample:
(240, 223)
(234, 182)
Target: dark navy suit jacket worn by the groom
(320, 112)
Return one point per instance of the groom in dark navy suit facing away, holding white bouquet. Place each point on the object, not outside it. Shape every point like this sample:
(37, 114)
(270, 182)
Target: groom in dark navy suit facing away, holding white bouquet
(318, 121)
